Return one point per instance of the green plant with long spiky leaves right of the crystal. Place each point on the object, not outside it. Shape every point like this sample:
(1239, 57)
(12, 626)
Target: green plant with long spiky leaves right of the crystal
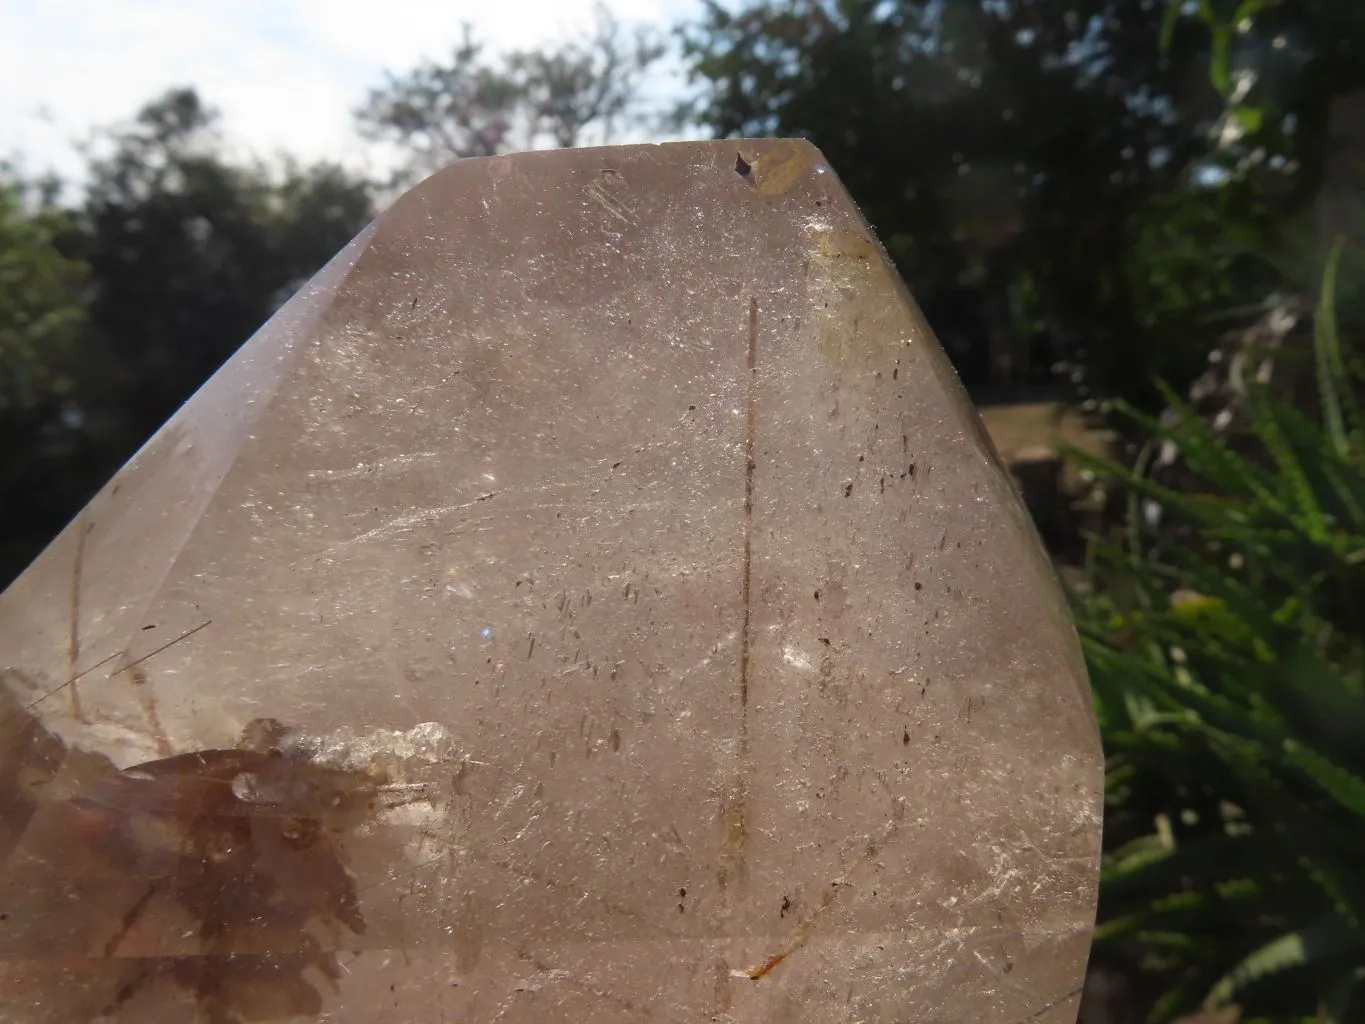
(1228, 657)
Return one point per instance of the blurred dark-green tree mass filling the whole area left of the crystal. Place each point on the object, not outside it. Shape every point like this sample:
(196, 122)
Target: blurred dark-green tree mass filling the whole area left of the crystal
(114, 312)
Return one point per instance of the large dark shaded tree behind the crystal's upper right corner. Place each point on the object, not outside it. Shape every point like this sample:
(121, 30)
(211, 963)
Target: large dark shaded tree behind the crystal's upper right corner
(1035, 167)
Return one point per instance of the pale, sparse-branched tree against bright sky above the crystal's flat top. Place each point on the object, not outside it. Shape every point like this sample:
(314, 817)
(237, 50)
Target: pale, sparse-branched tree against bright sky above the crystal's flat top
(477, 104)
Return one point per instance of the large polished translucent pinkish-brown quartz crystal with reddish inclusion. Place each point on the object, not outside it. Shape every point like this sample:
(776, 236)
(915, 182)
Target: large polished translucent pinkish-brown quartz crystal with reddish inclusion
(592, 599)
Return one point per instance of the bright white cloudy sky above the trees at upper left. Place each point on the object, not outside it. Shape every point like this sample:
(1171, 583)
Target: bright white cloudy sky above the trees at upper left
(286, 74)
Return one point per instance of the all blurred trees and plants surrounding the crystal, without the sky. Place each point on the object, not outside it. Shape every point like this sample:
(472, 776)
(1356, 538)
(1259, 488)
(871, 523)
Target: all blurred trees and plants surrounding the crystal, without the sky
(1136, 227)
